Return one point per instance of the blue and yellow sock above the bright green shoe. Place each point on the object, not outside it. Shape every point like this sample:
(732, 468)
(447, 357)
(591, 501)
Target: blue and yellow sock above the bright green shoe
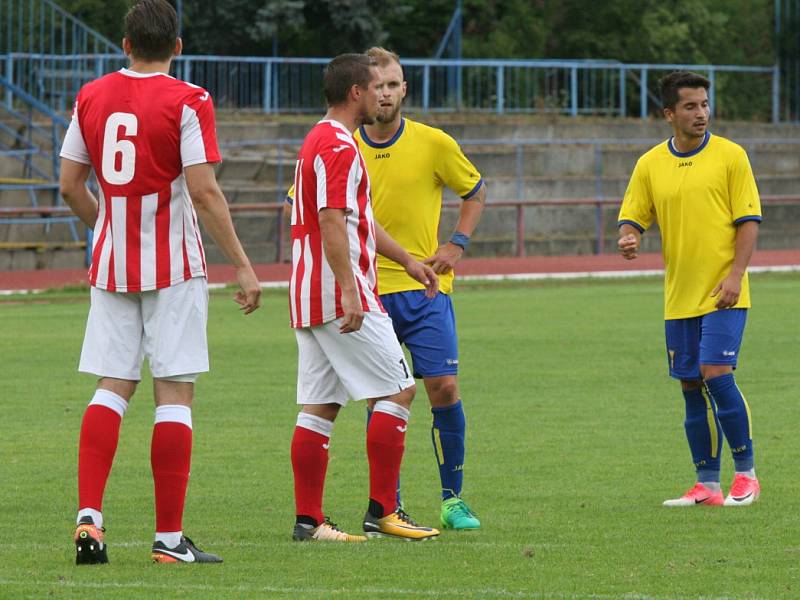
(447, 433)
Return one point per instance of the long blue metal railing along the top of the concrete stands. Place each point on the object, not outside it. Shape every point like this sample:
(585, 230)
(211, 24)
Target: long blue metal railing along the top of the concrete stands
(293, 85)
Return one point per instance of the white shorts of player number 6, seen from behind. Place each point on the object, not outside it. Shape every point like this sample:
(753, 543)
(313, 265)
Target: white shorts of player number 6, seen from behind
(168, 326)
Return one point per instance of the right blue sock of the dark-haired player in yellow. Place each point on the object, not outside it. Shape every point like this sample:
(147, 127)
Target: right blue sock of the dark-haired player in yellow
(734, 416)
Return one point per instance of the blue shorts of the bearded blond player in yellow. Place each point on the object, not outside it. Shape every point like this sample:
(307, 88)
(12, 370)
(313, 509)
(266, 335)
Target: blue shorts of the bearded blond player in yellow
(427, 327)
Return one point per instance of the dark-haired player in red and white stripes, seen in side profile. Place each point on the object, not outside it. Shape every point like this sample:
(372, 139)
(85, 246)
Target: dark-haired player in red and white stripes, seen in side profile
(346, 344)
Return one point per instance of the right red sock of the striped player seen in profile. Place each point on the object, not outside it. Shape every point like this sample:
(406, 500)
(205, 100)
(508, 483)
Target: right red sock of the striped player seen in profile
(386, 436)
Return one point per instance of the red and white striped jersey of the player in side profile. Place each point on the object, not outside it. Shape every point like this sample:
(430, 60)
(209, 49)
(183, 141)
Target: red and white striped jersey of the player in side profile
(330, 173)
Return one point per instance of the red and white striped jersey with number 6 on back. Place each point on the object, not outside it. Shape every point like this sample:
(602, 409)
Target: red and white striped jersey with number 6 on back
(138, 131)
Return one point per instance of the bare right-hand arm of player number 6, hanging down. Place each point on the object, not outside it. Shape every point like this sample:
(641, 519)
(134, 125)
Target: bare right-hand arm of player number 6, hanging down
(212, 209)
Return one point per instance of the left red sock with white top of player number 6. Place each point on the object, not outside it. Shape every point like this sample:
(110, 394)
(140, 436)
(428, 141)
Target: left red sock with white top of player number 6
(97, 447)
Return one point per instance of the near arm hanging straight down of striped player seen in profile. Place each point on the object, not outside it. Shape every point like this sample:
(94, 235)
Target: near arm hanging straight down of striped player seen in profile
(333, 229)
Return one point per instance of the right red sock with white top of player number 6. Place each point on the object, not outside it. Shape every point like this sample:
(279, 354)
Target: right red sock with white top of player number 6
(171, 458)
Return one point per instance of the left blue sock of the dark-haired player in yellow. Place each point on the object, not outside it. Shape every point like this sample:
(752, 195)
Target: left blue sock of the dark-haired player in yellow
(703, 435)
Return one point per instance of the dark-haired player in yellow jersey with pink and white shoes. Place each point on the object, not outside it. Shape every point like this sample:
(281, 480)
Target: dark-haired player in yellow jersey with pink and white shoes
(700, 189)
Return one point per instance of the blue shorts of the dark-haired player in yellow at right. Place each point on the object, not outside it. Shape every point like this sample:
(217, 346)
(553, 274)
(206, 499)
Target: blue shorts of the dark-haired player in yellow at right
(711, 339)
